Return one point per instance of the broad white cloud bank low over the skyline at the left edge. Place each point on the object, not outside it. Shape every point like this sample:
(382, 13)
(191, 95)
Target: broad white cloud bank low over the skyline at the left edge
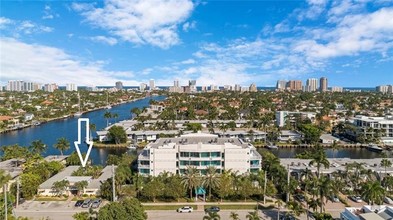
(43, 64)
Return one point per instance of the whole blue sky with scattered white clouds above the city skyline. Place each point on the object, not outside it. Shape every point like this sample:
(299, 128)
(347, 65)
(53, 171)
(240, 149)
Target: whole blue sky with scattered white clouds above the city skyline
(215, 42)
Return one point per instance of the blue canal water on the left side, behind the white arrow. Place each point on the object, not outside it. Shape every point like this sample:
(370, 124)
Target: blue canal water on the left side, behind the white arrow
(68, 128)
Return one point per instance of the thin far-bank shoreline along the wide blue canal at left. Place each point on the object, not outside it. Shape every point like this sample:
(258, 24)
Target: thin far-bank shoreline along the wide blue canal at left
(65, 117)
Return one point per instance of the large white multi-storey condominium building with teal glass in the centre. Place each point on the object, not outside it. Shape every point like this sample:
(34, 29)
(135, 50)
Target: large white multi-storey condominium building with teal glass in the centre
(201, 150)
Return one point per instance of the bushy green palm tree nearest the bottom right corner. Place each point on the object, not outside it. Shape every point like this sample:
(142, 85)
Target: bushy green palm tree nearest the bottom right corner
(373, 193)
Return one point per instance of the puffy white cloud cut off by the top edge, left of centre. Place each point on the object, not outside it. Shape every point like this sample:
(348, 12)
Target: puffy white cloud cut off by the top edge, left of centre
(140, 22)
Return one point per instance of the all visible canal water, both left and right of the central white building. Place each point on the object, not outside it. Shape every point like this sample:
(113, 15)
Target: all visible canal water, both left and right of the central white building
(51, 131)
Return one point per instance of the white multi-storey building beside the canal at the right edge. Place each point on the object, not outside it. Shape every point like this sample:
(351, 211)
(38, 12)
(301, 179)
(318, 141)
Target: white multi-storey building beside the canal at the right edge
(372, 125)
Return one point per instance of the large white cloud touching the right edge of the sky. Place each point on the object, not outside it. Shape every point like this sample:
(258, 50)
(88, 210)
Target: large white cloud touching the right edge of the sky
(354, 34)
